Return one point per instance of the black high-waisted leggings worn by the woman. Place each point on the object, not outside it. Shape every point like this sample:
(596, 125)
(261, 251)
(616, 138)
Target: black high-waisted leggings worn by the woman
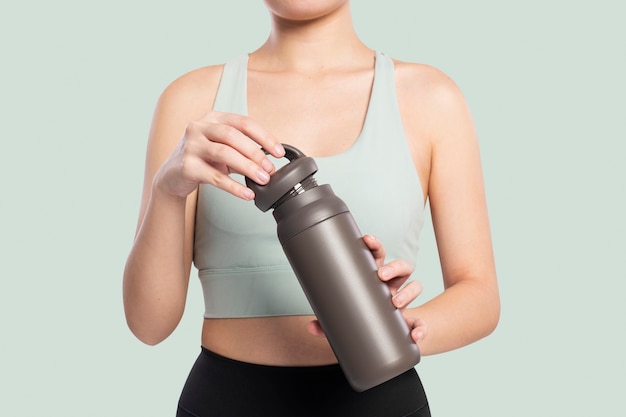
(219, 386)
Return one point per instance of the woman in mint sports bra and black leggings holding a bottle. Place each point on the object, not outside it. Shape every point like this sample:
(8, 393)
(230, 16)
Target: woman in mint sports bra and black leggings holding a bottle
(402, 128)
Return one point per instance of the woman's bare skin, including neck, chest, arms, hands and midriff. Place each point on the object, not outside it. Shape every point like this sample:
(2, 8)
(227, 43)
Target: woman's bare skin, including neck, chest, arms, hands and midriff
(312, 46)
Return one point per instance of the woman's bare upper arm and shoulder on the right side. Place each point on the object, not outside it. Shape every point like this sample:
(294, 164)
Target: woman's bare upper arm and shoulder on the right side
(443, 133)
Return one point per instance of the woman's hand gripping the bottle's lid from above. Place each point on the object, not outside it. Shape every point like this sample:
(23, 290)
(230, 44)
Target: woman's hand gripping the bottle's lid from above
(215, 146)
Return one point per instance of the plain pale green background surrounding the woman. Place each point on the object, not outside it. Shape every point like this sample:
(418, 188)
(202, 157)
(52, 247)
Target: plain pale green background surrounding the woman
(545, 81)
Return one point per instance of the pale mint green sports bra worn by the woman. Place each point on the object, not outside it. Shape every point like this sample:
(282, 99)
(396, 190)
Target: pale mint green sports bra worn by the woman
(241, 265)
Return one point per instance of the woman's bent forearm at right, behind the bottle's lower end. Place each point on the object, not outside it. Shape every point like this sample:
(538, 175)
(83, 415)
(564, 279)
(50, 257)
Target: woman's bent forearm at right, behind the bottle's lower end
(464, 313)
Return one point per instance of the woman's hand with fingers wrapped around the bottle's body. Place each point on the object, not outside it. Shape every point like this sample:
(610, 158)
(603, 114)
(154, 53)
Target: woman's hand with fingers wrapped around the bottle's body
(394, 274)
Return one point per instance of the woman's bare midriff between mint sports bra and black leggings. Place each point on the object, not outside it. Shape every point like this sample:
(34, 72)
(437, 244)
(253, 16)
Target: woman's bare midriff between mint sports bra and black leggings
(278, 341)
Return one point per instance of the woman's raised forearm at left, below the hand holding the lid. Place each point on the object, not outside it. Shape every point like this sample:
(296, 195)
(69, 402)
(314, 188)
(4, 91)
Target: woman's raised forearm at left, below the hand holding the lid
(156, 274)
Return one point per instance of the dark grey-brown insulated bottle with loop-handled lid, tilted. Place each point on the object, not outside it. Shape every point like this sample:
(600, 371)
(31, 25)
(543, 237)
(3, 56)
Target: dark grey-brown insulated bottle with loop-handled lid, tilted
(338, 274)
